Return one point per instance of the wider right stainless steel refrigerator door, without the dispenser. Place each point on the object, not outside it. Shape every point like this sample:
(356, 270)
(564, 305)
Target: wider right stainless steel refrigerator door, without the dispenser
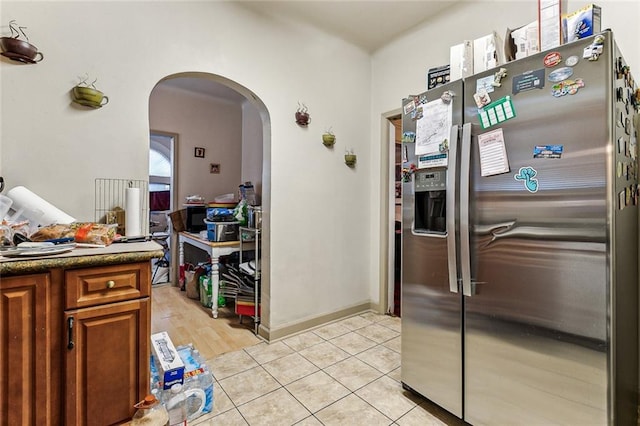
(536, 339)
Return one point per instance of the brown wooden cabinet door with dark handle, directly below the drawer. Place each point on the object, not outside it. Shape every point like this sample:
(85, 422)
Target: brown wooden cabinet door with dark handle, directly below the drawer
(107, 362)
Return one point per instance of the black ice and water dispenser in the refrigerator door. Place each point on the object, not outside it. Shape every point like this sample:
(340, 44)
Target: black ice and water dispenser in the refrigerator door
(430, 201)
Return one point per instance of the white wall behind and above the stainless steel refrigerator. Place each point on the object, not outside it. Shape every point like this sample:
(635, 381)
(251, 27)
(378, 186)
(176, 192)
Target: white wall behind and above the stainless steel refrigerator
(400, 68)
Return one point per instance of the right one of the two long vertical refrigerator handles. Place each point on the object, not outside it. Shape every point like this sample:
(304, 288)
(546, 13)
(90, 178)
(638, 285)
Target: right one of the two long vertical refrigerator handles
(465, 170)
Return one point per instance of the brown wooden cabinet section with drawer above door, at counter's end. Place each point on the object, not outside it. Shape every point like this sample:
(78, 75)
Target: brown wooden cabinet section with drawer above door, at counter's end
(108, 326)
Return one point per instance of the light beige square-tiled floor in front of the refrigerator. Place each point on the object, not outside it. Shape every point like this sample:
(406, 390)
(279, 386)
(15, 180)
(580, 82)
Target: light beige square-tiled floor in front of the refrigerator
(343, 373)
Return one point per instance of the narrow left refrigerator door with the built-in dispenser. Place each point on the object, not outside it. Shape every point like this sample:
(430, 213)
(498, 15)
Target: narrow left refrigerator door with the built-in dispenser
(431, 313)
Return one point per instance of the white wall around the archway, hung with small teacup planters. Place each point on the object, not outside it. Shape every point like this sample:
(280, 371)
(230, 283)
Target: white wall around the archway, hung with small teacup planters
(318, 219)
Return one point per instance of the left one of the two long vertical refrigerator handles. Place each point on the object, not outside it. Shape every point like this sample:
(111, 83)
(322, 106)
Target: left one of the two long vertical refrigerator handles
(451, 210)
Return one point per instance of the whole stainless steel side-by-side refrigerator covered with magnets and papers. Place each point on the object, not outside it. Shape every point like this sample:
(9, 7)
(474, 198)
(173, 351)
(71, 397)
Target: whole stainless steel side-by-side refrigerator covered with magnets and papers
(520, 241)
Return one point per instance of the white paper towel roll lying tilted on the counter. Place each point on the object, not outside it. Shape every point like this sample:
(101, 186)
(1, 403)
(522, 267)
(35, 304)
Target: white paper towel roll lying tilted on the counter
(38, 211)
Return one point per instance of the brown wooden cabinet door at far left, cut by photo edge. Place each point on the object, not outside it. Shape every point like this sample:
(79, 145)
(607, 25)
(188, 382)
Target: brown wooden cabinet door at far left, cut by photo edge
(24, 350)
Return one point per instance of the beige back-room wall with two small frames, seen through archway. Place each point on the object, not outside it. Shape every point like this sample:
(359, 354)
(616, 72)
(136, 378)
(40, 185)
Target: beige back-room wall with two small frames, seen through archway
(205, 122)
